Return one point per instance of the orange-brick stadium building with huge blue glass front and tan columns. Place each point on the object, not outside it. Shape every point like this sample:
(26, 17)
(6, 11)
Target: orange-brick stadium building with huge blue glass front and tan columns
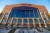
(25, 17)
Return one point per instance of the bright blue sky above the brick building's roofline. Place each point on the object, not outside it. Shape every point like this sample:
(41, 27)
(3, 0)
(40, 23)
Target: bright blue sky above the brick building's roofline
(46, 3)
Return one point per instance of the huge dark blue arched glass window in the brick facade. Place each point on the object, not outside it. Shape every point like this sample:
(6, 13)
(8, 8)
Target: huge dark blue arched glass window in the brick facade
(25, 12)
